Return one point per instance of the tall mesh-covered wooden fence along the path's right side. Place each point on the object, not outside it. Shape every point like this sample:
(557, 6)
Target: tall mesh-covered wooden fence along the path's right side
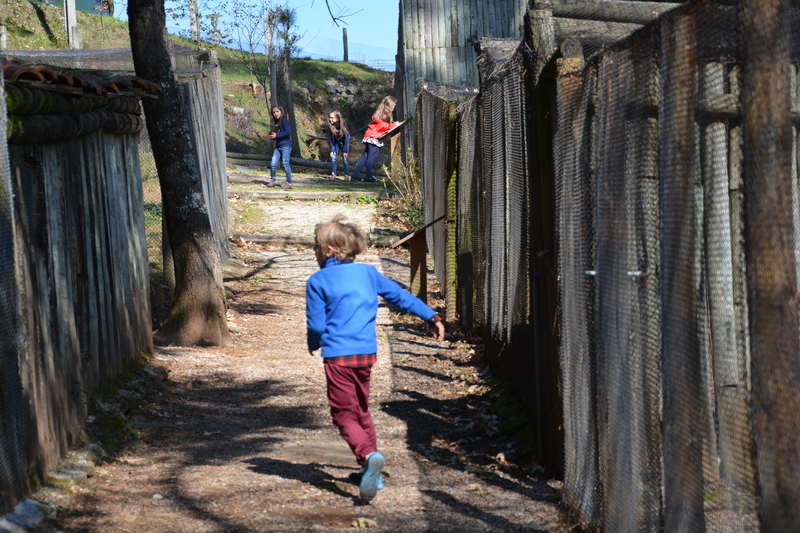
(627, 240)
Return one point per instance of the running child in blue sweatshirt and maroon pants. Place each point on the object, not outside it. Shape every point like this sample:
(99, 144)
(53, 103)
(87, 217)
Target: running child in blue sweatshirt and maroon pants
(341, 309)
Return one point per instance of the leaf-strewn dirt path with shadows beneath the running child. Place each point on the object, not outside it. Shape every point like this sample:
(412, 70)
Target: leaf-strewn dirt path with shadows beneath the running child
(240, 438)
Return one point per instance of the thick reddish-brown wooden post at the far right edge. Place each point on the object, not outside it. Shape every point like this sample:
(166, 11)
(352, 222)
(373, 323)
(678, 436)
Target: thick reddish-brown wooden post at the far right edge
(771, 271)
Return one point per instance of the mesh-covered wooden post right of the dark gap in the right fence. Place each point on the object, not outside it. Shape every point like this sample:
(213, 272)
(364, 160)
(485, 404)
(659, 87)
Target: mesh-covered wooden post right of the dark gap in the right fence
(579, 380)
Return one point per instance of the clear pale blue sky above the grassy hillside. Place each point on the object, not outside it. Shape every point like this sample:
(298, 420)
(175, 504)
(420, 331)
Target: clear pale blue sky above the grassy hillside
(371, 28)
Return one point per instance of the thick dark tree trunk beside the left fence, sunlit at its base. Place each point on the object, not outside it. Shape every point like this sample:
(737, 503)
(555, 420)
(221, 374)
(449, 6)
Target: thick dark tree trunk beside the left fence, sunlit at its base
(198, 314)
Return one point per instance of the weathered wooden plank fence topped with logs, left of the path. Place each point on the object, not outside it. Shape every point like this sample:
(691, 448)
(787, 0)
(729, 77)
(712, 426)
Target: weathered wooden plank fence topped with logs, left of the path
(75, 295)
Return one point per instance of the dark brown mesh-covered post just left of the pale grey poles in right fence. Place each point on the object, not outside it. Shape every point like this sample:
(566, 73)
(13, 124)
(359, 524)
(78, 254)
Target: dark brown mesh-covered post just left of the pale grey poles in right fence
(682, 430)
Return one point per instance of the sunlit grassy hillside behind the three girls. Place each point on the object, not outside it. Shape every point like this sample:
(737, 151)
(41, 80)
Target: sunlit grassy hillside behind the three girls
(319, 86)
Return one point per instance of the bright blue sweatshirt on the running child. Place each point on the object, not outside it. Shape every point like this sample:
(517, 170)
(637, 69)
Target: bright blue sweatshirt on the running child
(342, 303)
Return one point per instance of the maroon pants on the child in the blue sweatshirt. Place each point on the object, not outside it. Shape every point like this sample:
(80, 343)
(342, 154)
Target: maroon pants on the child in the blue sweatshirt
(348, 396)
